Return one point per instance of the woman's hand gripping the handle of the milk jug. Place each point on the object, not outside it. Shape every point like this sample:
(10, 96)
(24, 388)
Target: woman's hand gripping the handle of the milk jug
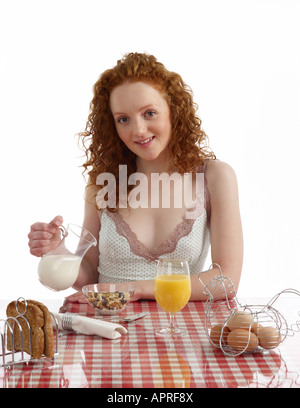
(44, 237)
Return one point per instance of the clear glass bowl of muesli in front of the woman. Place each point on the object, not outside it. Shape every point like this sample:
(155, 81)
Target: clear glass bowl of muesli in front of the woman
(108, 298)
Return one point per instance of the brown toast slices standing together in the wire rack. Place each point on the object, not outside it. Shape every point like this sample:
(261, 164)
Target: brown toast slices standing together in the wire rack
(39, 319)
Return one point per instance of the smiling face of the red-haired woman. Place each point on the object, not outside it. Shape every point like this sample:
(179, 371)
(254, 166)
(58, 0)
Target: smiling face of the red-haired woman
(142, 119)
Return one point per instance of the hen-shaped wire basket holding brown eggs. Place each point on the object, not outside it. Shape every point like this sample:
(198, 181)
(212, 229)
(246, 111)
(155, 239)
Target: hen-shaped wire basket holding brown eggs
(235, 328)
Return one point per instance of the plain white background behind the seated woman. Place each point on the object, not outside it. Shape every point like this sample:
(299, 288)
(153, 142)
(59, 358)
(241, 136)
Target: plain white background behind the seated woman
(242, 60)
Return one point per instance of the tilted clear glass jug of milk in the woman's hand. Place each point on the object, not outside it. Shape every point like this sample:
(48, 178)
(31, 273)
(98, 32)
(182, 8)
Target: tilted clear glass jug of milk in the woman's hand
(59, 268)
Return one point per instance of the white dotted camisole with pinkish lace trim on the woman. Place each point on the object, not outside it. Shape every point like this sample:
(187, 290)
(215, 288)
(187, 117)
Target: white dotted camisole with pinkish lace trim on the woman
(122, 257)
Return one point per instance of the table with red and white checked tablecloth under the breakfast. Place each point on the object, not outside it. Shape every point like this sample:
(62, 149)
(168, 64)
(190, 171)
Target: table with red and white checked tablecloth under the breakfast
(140, 359)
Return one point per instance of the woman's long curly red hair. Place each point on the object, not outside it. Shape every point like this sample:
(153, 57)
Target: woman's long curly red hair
(105, 151)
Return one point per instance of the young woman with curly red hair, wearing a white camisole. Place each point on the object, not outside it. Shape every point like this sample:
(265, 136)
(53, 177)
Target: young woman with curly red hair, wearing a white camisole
(142, 125)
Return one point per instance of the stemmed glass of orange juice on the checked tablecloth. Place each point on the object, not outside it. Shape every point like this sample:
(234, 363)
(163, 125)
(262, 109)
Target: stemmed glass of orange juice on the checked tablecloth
(172, 291)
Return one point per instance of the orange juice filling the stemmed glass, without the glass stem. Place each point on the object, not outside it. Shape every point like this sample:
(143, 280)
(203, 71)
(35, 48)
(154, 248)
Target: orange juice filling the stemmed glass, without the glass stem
(172, 292)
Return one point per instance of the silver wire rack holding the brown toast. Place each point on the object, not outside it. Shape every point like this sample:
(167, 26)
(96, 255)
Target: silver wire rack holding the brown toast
(7, 328)
